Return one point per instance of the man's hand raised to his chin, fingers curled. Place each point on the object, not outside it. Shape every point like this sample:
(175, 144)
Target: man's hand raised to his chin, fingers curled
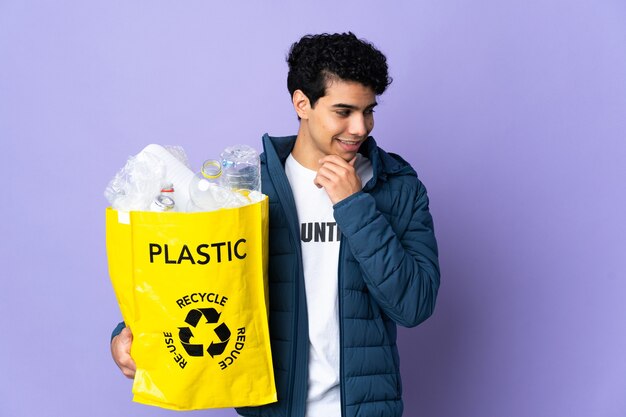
(338, 177)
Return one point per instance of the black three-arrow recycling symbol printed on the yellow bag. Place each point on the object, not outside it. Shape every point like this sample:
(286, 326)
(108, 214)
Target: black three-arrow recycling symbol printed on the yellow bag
(221, 331)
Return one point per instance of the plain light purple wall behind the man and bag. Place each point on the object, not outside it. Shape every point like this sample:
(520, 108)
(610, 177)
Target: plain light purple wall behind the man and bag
(513, 113)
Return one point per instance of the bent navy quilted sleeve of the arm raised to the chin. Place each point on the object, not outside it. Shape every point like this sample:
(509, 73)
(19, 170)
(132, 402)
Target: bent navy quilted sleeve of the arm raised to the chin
(401, 270)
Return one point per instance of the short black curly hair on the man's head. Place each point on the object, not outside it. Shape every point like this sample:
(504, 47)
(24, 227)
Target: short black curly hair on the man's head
(316, 59)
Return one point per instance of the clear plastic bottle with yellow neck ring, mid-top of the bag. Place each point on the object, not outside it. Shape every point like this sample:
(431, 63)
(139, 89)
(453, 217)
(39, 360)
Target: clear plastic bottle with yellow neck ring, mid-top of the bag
(206, 192)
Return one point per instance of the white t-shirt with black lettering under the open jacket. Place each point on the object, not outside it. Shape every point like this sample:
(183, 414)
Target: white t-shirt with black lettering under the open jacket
(319, 237)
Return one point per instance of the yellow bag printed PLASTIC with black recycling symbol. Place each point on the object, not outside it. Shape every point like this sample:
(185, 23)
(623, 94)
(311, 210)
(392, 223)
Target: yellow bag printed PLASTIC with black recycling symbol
(192, 287)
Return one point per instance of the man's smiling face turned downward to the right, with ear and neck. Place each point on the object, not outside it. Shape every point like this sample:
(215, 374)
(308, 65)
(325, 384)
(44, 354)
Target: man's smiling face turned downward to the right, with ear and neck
(338, 123)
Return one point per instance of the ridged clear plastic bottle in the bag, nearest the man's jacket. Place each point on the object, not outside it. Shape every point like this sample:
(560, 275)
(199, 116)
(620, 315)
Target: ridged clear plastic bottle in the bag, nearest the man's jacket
(241, 168)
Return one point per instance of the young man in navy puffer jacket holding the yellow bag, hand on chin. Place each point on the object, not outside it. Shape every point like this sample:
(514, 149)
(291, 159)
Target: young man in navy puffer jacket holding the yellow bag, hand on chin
(352, 248)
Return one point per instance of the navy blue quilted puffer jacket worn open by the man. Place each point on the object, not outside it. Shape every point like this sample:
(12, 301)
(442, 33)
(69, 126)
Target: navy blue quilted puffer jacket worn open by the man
(388, 275)
